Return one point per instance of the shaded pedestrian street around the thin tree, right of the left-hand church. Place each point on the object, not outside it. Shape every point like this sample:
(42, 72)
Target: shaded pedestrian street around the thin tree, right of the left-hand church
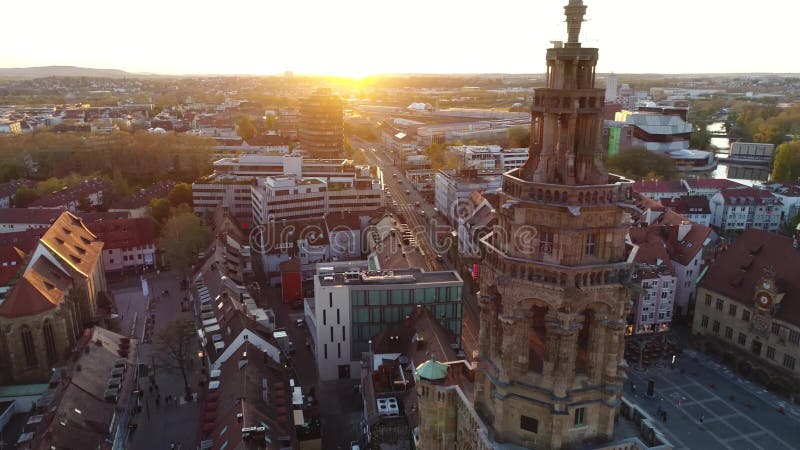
(159, 424)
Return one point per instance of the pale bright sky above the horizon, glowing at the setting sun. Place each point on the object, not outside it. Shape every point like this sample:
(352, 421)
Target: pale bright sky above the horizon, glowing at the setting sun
(358, 37)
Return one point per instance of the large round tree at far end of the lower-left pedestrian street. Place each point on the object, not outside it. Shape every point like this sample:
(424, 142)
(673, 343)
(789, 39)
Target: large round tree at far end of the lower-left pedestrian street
(183, 237)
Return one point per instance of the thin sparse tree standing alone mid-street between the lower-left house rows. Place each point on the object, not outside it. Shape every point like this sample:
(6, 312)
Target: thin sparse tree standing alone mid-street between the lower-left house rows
(174, 348)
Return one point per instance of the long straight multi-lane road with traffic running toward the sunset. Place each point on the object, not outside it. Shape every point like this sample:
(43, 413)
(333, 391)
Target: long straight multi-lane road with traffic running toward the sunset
(422, 227)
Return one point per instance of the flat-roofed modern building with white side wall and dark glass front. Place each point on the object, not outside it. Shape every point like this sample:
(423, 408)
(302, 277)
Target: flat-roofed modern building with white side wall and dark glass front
(354, 301)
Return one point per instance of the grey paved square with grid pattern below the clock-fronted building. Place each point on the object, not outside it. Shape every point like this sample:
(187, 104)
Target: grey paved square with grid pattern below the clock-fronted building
(708, 407)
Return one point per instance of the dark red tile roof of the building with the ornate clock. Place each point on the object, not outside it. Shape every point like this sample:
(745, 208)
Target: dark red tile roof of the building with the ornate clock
(737, 271)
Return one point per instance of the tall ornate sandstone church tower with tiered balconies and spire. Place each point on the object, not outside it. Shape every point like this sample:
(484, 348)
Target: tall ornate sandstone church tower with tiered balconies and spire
(553, 296)
